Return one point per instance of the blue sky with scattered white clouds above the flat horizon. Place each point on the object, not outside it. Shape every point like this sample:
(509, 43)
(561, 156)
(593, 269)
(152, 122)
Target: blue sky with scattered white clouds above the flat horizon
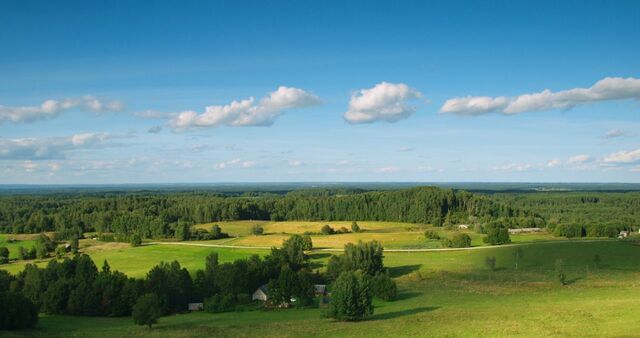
(101, 92)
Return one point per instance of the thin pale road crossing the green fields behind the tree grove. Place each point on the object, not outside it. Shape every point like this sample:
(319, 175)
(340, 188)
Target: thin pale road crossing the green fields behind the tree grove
(385, 250)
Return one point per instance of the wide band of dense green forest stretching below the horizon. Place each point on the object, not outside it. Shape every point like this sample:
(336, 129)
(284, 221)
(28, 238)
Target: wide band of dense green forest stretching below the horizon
(156, 214)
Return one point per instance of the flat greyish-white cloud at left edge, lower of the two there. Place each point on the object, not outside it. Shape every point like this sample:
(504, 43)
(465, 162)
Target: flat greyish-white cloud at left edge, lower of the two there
(51, 147)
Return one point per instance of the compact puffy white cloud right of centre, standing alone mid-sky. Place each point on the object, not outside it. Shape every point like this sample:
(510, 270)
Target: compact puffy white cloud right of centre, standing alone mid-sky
(384, 102)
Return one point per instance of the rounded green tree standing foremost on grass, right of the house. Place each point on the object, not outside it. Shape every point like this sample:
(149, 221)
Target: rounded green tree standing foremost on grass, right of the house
(351, 298)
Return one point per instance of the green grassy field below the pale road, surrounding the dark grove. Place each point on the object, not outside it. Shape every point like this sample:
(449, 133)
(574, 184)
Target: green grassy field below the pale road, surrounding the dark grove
(441, 294)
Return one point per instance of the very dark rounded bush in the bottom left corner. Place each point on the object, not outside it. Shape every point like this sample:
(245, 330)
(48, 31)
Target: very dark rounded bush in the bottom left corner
(17, 312)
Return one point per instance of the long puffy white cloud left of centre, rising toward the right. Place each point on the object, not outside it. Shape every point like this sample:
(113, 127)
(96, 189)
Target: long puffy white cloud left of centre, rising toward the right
(247, 112)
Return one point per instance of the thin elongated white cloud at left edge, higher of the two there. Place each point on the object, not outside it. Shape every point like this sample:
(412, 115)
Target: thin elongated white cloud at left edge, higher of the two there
(52, 108)
